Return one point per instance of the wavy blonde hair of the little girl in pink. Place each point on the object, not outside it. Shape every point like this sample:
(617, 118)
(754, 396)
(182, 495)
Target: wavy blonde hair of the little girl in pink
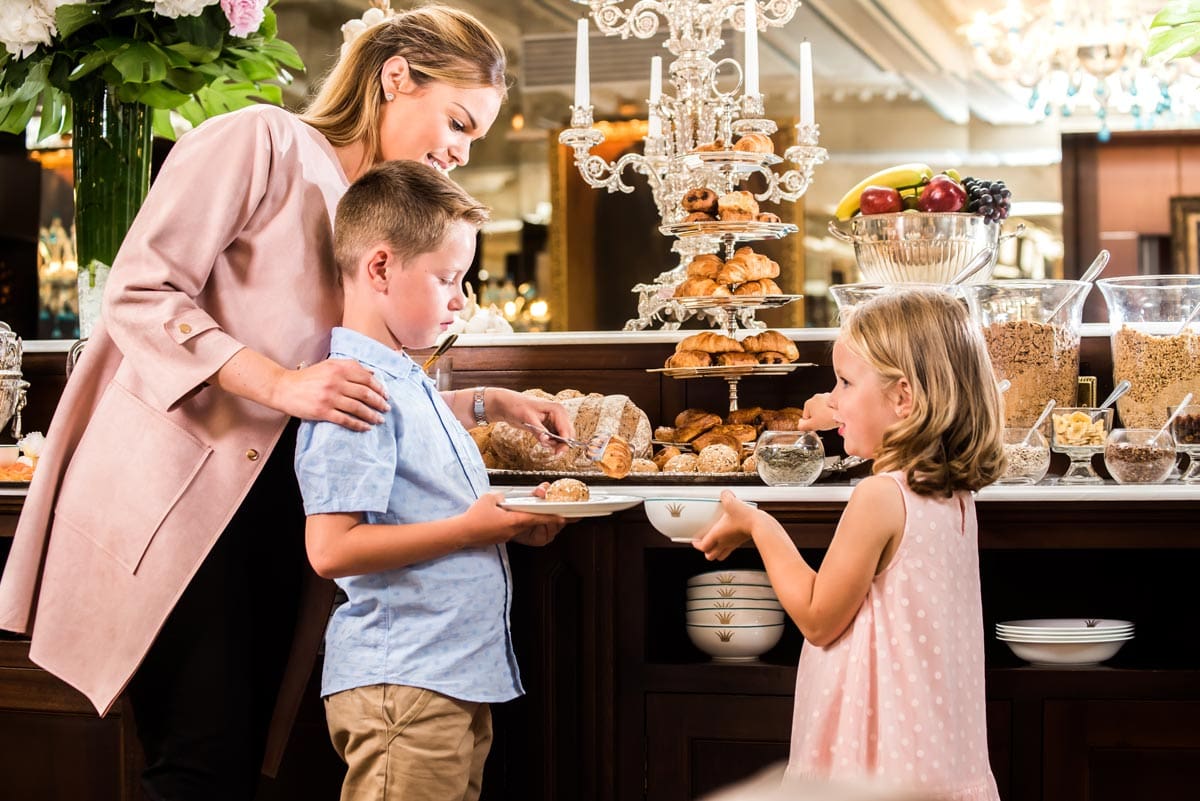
(955, 437)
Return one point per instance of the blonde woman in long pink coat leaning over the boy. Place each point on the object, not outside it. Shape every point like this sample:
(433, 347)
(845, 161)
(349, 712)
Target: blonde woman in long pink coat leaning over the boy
(161, 545)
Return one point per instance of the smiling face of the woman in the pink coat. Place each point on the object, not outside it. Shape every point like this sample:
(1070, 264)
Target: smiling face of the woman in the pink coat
(435, 124)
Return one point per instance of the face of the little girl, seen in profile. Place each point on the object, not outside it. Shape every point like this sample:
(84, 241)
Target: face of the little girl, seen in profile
(862, 403)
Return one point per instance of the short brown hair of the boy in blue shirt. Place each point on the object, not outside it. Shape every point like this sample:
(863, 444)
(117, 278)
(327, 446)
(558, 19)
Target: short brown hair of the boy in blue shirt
(406, 204)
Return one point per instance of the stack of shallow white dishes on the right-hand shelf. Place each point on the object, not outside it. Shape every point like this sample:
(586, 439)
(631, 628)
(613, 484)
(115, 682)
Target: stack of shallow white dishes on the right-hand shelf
(1065, 641)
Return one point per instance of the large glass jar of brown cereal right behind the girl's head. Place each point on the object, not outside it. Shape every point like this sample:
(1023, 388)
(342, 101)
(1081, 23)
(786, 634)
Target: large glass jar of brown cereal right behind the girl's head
(1033, 334)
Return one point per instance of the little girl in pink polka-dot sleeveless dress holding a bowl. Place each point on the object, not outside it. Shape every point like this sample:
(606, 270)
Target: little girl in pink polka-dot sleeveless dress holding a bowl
(891, 683)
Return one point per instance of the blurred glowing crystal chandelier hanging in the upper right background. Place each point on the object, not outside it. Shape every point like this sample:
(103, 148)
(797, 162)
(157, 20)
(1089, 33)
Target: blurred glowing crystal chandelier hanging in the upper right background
(1082, 57)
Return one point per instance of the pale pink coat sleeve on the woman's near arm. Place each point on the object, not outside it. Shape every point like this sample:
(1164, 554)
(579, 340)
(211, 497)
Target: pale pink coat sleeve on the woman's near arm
(203, 197)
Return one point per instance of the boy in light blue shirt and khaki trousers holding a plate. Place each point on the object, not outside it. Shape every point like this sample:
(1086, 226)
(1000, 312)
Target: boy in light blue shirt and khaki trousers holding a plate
(400, 515)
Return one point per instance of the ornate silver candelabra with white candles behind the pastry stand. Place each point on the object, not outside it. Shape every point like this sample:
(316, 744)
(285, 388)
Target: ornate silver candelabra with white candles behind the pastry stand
(698, 113)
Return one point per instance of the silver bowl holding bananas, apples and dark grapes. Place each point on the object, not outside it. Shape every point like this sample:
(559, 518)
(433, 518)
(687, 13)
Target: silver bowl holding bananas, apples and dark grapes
(920, 246)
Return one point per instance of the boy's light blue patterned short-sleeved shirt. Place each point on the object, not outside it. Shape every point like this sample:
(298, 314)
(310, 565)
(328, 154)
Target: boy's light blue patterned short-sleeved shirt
(442, 625)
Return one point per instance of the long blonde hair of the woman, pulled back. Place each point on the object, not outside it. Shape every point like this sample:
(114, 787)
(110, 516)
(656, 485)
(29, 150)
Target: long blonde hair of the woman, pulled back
(439, 43)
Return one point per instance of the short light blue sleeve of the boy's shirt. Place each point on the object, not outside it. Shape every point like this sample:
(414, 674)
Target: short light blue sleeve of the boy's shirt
(340, 471)
